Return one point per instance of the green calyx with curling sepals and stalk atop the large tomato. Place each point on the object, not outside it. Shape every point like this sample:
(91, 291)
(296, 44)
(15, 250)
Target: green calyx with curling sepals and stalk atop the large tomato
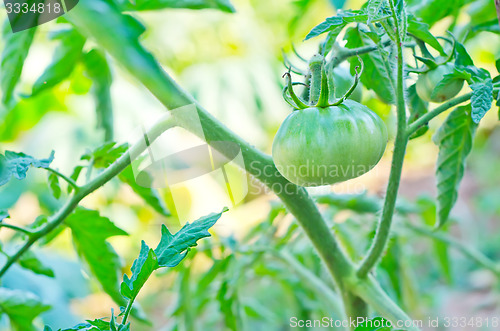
(321, 90)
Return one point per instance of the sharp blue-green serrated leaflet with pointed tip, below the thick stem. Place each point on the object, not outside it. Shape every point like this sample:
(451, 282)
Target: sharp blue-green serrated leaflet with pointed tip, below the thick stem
(173, 248)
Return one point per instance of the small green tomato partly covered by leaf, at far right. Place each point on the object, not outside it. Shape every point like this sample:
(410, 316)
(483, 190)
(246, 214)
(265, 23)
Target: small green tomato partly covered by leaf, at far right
(427, 84)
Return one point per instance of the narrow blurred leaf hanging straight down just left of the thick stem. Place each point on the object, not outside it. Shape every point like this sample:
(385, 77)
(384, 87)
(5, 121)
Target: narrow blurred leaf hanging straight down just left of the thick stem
(98, 71)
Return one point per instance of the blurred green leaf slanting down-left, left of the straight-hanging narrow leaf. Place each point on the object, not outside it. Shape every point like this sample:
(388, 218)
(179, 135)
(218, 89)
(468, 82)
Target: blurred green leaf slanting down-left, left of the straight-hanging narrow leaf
(65, 58)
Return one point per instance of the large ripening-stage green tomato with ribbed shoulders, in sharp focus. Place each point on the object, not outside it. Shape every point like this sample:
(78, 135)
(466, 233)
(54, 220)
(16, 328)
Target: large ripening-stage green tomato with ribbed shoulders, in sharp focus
(323, 146)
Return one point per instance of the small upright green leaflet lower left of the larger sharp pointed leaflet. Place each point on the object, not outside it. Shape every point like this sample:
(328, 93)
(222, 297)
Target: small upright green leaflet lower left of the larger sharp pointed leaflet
(142, 268)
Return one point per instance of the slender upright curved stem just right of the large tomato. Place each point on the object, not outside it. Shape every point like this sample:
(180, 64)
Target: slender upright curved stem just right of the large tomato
(384, 226)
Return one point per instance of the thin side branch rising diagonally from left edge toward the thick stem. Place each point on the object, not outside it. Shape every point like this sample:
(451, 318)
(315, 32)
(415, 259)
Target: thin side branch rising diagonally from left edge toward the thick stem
(110, 172)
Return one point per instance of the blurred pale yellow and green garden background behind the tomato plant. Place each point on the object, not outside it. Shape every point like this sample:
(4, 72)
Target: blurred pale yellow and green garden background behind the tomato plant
(239, 278)
